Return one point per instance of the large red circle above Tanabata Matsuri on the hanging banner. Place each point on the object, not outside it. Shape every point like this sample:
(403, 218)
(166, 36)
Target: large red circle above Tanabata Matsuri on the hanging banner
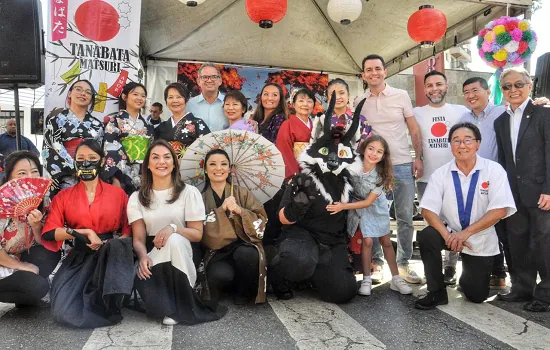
(97, 20)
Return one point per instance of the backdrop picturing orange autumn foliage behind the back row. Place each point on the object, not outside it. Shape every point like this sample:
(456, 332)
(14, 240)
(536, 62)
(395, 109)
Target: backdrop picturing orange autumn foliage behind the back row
(250, 80)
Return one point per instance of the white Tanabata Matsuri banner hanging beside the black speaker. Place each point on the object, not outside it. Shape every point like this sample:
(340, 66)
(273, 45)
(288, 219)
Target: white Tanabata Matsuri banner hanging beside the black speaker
(94, 40)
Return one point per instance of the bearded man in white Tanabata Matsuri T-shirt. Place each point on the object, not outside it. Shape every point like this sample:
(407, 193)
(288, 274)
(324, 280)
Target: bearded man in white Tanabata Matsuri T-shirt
(435, 120)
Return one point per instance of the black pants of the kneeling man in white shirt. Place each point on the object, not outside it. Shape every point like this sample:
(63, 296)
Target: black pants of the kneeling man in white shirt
(476, 270)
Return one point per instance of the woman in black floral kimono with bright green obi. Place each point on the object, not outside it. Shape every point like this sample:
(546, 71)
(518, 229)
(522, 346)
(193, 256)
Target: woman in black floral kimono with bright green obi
(127, 138)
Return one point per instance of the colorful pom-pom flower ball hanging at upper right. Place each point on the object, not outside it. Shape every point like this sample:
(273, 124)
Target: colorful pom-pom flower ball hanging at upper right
(506, 42)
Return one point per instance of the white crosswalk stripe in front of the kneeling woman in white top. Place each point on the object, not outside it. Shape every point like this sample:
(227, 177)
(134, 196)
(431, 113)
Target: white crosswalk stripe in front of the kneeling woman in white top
(135, 331)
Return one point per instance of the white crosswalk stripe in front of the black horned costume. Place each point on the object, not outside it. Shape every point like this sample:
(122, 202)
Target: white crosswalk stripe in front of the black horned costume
(314, 324)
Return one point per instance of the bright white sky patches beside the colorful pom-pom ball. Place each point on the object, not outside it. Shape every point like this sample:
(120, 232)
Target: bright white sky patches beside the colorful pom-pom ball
(540, 21)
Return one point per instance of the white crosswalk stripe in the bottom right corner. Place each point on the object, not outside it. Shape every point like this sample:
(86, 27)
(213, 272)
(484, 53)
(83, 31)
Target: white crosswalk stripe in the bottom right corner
(498, 323)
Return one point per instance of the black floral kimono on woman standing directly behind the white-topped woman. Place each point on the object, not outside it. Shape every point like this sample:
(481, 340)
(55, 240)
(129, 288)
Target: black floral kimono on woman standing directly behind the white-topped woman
(183, 133)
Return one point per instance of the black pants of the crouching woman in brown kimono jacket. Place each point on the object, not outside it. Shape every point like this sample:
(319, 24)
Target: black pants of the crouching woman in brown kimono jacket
(239, 267)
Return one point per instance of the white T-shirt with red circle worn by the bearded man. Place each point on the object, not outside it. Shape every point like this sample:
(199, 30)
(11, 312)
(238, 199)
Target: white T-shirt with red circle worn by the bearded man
(435, 124)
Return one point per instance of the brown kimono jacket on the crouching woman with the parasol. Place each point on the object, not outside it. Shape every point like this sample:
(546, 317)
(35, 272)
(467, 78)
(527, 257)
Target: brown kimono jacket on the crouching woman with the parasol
(220, 231)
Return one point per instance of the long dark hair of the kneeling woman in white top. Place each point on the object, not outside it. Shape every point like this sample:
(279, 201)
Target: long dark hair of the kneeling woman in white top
(146, 189)
